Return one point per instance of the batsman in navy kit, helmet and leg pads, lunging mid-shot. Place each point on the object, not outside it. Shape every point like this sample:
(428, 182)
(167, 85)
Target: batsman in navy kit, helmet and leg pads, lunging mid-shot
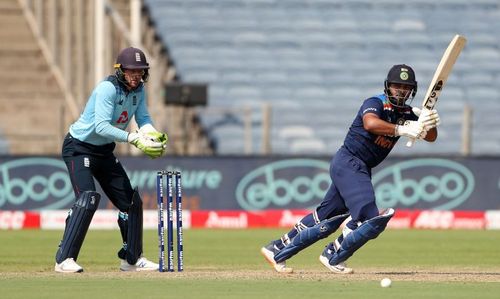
(378, 125)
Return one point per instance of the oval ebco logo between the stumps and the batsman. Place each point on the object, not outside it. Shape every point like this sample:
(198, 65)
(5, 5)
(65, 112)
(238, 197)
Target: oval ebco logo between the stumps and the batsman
(282, 183)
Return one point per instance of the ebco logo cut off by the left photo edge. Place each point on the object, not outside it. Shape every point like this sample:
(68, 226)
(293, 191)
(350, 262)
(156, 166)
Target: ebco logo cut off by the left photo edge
(50, 188)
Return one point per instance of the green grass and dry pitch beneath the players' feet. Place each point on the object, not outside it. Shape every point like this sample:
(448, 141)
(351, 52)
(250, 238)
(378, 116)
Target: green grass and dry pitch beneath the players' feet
(227, 264)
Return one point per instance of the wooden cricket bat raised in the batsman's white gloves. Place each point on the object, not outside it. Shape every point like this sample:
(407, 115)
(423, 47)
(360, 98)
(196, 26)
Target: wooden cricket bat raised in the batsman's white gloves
(441, 75)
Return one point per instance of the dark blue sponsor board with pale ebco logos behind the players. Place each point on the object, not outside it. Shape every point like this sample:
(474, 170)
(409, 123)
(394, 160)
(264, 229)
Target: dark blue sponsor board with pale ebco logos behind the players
(258, 183)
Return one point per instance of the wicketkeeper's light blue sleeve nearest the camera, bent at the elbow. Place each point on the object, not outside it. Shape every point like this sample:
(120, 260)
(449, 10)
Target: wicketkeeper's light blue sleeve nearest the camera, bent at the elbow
(104, 108)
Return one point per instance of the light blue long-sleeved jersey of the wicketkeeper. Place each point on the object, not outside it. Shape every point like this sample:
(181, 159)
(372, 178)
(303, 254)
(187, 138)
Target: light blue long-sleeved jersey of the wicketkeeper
(108, 112)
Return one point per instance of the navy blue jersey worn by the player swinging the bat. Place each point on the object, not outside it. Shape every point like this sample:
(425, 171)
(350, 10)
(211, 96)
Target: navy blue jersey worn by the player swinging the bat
(372, 148)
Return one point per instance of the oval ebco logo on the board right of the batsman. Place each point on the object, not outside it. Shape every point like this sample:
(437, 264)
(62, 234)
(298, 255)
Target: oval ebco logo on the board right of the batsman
(441, 183)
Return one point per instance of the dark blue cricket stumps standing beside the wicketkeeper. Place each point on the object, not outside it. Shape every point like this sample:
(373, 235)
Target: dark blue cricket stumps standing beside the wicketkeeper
(170, 175)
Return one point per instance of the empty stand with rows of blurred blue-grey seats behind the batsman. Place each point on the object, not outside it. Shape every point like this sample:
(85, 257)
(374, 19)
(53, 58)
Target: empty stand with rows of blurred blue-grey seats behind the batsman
(316, 61)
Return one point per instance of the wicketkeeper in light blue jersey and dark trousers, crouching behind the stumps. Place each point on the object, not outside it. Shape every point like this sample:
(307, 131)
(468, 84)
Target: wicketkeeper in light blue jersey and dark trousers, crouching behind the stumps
(88, 153)
